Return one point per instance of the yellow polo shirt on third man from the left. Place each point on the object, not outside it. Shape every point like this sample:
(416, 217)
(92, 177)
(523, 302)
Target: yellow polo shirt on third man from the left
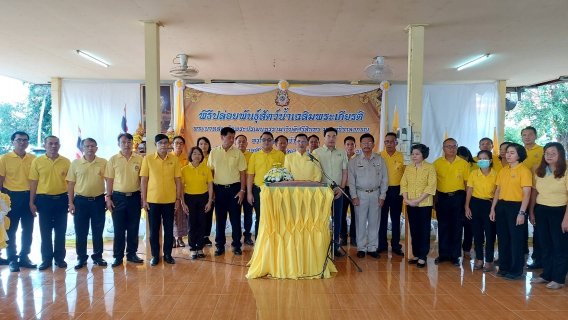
(88, 176)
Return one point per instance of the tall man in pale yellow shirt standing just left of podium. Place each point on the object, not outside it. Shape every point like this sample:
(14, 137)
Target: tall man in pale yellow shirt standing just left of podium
(228, 166)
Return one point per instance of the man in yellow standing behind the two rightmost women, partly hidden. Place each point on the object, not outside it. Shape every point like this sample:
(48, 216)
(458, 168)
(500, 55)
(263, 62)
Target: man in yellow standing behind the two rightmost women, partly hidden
(534, 157)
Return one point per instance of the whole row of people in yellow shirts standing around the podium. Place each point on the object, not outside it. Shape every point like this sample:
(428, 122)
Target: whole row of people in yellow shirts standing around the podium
(477, 198)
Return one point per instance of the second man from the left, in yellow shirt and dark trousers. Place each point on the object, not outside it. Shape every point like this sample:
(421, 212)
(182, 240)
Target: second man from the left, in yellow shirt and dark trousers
(48, 197)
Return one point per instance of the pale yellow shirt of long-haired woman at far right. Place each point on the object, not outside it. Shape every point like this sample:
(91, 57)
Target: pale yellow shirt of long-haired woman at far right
(552, 192)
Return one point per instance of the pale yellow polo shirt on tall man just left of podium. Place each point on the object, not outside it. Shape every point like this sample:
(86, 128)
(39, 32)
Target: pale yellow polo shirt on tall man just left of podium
(227, 165)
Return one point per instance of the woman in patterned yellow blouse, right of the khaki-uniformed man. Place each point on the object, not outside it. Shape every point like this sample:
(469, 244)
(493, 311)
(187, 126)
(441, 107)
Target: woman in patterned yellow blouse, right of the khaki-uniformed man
(417, 187)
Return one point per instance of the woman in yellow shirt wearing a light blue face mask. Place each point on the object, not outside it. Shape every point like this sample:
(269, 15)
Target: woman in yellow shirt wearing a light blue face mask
(480, 192)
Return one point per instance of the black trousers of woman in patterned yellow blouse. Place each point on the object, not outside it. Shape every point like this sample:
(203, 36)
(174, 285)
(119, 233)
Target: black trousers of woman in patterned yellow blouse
(419, 221)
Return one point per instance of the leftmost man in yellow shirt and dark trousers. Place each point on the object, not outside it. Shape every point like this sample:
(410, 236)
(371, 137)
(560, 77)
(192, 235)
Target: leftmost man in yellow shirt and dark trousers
(14, 172)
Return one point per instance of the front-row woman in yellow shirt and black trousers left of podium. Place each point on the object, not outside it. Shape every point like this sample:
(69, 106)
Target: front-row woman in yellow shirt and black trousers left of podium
(197, 200)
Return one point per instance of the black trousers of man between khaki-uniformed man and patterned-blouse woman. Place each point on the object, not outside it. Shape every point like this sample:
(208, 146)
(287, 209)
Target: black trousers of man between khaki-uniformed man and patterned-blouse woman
(393, 204)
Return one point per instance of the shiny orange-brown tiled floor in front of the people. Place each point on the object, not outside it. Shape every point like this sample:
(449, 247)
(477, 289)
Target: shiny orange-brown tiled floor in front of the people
(216, 288)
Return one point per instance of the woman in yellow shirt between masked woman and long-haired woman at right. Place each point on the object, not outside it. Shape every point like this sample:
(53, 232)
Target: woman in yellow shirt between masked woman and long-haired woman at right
(510, 202)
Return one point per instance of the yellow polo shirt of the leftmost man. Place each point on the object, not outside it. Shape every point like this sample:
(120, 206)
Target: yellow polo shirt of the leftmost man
(16, 171)
